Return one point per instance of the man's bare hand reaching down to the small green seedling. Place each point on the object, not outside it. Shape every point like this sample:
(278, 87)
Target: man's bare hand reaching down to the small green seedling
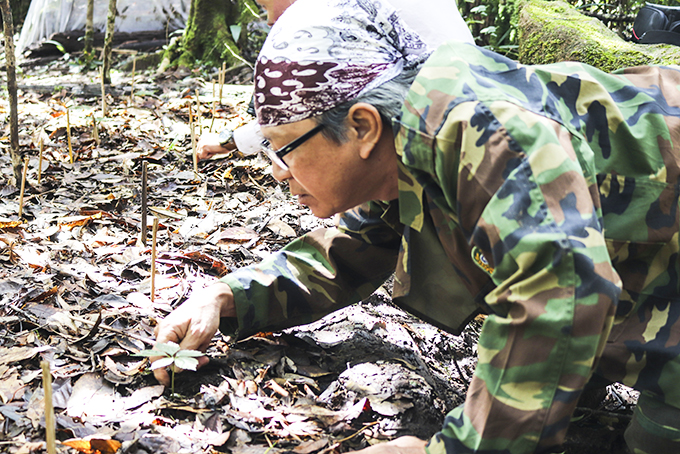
(193, 324)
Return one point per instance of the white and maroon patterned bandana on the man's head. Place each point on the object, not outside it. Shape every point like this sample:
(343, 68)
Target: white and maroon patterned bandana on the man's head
(321, 53)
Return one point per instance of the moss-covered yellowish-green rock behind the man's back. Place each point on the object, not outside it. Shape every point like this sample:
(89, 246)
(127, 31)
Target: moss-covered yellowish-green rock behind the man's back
(552, 31)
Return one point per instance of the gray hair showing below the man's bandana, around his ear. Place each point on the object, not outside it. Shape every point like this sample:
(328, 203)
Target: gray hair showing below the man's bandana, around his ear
(386, 98)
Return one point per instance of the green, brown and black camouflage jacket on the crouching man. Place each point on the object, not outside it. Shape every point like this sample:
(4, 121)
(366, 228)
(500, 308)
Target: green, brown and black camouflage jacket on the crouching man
(553, 194)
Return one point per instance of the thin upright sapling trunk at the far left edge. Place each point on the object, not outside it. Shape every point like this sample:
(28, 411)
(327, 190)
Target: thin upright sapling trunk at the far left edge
(8, 28)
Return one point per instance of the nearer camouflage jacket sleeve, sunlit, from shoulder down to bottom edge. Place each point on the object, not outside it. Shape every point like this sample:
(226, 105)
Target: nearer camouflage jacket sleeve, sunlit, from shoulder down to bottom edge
(528, 201)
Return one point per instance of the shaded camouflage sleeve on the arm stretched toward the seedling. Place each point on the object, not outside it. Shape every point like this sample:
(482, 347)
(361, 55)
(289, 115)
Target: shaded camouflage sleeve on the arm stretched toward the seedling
(316, 273)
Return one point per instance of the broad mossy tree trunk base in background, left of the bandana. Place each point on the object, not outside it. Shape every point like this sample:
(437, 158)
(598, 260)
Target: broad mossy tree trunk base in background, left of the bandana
(208, 36)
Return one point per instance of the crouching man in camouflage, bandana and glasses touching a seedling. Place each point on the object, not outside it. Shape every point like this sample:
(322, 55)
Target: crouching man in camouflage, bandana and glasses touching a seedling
(546, 196)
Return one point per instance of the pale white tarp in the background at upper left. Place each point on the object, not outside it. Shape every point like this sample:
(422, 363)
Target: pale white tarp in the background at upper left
(46, 17)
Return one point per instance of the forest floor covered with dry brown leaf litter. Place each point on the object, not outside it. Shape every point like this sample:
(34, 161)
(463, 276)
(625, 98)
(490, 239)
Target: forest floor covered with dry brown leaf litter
(75, 292)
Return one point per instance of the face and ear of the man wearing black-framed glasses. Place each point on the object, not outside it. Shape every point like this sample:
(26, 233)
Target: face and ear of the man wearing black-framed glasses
(331, 178)
